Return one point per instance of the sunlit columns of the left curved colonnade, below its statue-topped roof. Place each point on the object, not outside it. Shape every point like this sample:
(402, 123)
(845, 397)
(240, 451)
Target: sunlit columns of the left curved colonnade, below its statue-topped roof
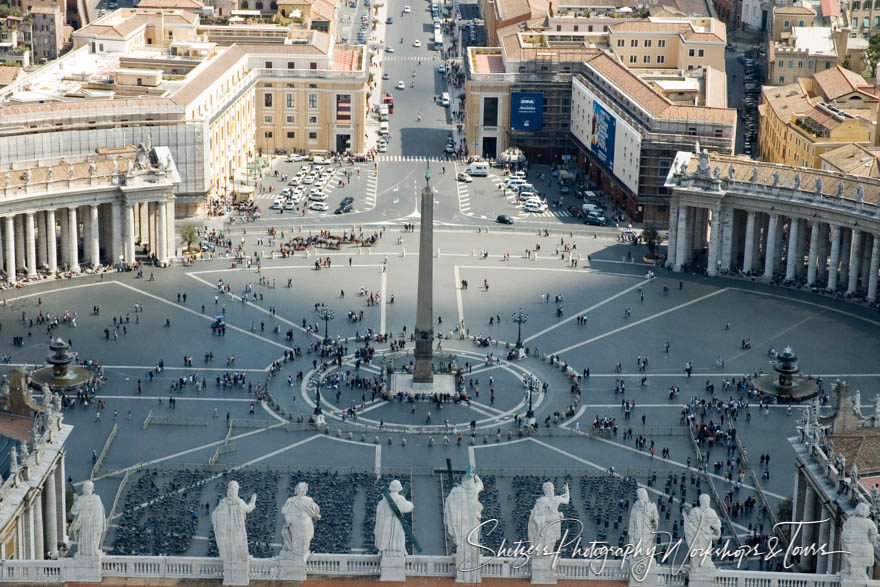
(95, 234)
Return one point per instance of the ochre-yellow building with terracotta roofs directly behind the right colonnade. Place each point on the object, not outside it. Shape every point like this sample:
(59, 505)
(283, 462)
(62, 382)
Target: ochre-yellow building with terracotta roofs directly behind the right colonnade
(800, 121)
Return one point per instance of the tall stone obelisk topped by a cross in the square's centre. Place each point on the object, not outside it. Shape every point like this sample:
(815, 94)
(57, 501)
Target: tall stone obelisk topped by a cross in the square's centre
(423, 370)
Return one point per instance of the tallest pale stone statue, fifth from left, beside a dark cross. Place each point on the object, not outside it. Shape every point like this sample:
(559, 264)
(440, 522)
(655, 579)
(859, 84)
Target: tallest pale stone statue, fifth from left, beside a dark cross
(462, 513)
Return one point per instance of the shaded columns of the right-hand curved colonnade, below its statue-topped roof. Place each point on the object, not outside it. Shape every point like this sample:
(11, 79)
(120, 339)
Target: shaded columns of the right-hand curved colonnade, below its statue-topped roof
(771, 244)
